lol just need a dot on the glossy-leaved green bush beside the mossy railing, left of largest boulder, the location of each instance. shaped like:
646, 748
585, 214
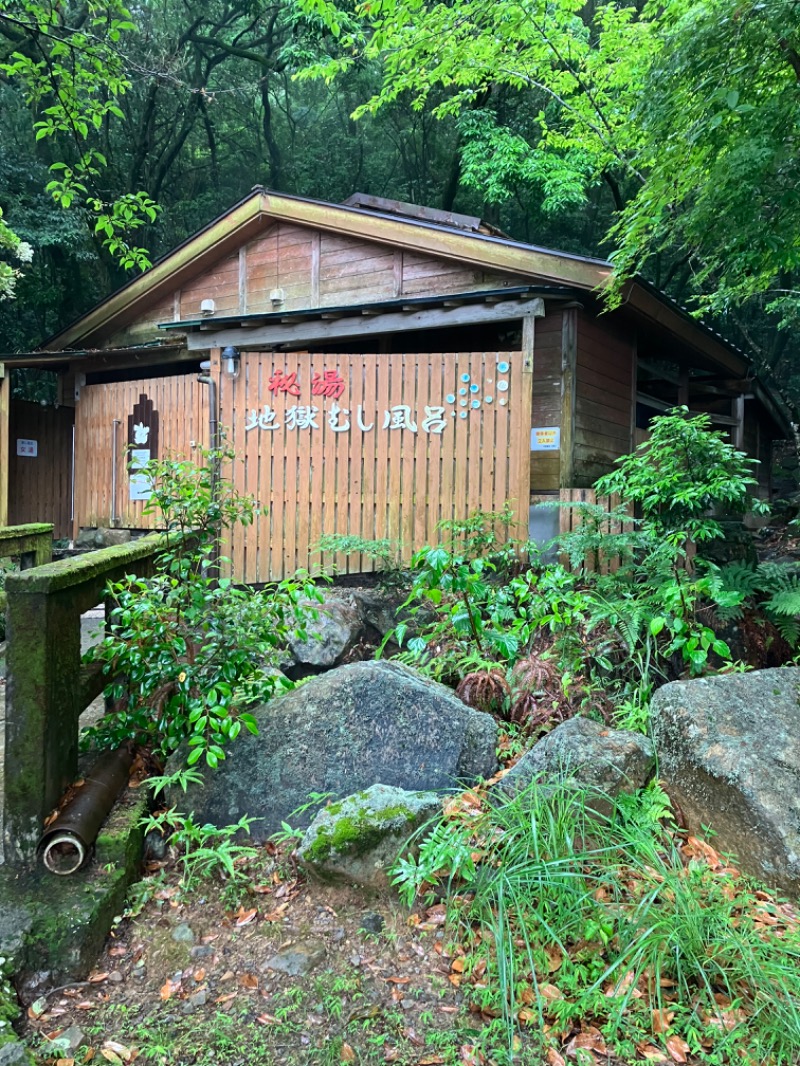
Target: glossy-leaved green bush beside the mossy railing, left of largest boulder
188, 651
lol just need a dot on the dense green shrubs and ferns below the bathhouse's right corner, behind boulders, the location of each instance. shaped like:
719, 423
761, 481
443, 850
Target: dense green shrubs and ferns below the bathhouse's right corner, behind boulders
630, 604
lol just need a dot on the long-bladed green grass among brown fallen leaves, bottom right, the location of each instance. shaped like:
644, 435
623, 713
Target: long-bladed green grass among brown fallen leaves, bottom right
611, 933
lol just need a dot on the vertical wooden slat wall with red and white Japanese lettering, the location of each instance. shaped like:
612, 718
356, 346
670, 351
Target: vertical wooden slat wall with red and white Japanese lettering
370, 480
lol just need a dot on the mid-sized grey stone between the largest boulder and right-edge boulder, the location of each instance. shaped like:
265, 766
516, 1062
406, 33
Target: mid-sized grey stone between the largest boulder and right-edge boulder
589, 754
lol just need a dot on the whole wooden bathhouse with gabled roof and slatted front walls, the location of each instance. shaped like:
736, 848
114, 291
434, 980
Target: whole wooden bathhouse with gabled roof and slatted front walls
378, 367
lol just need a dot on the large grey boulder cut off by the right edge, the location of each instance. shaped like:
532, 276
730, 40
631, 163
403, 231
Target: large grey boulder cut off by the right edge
729, 750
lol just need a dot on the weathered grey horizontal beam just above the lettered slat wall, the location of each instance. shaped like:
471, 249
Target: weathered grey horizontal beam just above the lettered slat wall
275, 334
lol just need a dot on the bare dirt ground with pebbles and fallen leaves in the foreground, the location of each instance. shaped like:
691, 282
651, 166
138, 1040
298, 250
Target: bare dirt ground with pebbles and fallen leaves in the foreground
289, 973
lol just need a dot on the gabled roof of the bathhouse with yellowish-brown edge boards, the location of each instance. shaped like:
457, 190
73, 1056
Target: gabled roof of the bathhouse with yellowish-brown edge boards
423, 231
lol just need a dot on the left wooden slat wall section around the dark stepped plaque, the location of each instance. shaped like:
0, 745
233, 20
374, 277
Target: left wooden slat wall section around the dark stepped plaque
182, 403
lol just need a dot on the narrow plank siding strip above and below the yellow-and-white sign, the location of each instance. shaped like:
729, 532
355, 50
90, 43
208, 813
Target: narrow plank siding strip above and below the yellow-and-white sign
546, 466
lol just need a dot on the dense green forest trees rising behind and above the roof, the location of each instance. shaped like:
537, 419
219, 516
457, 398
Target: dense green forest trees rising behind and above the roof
663, 136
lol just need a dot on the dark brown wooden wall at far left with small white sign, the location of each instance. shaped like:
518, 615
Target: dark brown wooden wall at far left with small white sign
41, 488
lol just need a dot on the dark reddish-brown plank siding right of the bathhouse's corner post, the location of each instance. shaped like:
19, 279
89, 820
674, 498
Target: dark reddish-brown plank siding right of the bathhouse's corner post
604, 396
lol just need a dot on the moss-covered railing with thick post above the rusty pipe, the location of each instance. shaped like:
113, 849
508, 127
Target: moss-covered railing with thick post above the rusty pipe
47, 686
